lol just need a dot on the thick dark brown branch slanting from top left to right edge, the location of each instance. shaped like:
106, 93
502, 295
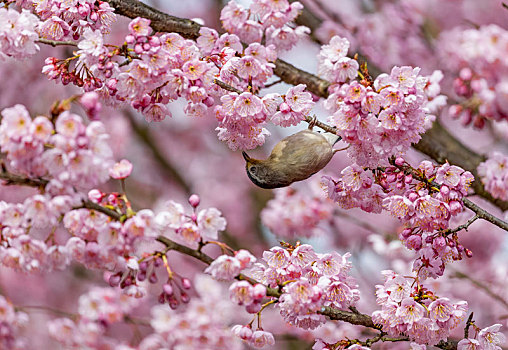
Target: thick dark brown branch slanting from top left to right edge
437, 143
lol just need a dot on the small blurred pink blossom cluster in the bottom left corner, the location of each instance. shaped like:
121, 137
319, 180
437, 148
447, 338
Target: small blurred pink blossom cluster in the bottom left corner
11, 323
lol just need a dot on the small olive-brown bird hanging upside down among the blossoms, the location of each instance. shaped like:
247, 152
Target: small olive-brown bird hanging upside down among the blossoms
295, 158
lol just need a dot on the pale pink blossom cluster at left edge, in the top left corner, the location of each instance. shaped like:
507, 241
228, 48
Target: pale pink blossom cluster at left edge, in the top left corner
18, 33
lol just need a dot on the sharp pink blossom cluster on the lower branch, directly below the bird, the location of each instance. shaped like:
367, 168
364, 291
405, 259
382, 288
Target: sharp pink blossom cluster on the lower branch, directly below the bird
311, 281
